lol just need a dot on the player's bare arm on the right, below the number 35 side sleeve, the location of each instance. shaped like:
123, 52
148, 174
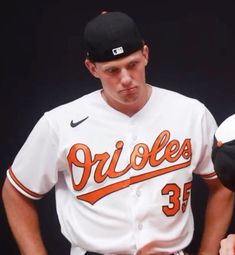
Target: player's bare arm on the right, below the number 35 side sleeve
217, 217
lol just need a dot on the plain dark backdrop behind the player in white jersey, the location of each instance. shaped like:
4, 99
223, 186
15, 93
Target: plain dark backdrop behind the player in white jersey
192, 51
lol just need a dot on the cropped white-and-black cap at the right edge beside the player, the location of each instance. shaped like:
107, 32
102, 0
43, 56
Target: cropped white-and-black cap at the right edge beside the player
223, 152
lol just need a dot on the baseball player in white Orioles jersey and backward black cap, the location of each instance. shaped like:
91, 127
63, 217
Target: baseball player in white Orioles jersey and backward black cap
121, 158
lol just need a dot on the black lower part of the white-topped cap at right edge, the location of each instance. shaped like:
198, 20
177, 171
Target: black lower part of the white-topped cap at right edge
223, 157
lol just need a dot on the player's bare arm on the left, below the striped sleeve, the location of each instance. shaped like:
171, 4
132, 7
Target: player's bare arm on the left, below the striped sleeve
23, 220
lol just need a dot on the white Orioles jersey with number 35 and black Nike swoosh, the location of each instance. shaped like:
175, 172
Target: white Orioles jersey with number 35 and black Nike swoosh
123, 184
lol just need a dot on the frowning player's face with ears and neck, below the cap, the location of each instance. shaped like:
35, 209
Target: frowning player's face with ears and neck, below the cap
123, 80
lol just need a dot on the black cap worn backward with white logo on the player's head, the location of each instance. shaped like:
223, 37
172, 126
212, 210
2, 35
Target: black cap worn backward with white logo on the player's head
111, 35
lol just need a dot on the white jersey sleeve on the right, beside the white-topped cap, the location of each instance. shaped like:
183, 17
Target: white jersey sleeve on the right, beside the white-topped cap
205, 166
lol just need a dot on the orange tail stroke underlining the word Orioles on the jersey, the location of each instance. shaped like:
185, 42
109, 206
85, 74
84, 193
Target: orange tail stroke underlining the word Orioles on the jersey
94, 196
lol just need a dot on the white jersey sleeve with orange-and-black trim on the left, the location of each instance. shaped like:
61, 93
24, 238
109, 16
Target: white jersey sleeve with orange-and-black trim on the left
34, 169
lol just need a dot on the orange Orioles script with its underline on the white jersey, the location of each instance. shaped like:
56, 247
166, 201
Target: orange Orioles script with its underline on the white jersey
171, 151
